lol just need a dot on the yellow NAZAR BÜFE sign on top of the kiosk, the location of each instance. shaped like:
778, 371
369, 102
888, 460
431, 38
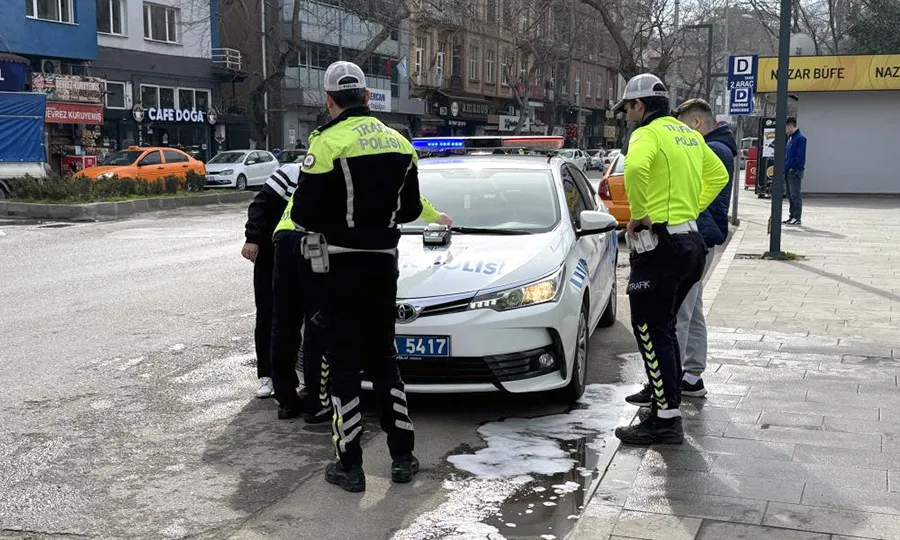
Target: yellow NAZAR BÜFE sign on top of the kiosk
833, 73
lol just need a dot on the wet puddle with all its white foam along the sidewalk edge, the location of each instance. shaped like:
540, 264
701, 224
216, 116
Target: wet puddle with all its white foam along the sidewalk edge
534, 476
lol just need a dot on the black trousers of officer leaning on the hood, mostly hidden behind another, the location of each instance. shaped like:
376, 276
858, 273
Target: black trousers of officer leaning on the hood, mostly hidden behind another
296, 291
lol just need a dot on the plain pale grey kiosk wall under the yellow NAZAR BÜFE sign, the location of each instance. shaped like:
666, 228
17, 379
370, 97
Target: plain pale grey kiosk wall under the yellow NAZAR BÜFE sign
852, 141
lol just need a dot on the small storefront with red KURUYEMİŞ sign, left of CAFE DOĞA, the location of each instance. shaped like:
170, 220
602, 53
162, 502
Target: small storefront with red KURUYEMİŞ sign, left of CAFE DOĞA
73, 120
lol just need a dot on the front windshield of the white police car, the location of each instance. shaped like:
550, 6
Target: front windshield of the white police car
496, 199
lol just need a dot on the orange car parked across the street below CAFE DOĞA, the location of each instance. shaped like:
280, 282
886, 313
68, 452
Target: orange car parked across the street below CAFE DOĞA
148, 163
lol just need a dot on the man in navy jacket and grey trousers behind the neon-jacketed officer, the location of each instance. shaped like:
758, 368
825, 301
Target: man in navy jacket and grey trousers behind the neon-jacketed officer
713, 225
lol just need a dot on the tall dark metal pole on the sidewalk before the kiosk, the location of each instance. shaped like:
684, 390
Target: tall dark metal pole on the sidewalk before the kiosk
784, 57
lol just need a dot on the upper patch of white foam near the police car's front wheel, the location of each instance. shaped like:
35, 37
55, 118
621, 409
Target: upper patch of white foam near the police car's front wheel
518, 446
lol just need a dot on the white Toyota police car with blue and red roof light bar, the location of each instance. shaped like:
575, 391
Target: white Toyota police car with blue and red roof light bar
509, 303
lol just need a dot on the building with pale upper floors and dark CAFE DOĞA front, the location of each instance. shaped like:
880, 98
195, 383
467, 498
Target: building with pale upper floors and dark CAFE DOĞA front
164, 71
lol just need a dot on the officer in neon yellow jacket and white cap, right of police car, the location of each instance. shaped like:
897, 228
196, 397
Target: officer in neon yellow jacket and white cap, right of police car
671, 175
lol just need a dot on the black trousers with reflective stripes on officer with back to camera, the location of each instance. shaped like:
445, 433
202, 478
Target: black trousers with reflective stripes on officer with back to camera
359, 310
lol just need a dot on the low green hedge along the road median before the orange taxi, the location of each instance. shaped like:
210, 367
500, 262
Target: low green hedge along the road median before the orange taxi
79, 189
